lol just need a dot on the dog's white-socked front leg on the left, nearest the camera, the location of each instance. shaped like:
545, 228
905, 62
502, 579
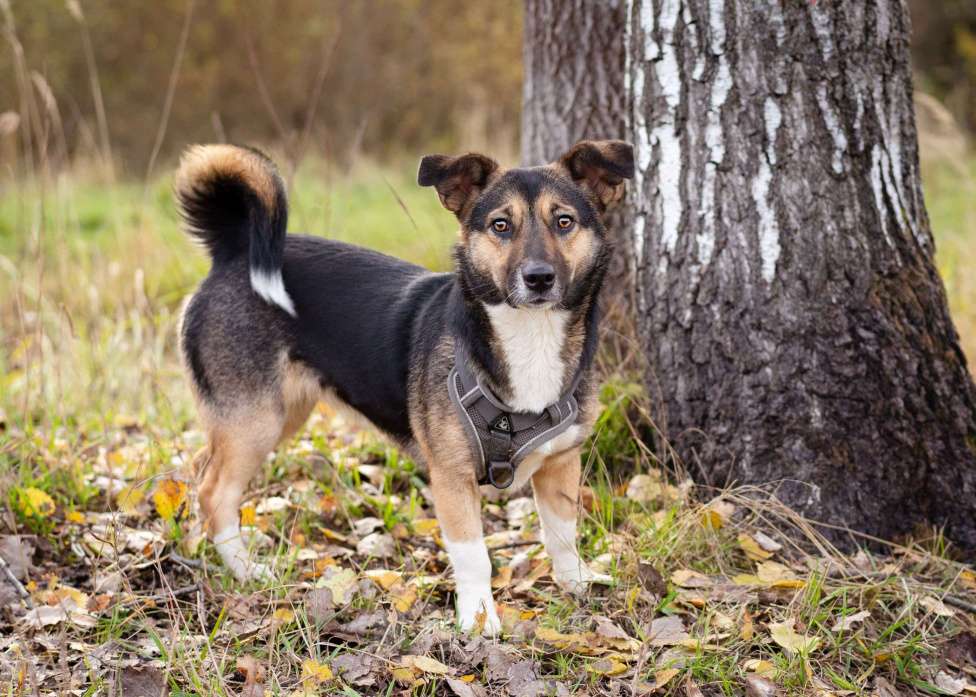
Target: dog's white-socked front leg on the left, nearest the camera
457, 502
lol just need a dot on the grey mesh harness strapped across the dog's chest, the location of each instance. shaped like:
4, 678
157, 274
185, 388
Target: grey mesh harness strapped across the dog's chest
501, 437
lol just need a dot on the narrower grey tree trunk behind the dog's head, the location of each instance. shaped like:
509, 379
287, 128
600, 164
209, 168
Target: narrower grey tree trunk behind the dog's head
573, 59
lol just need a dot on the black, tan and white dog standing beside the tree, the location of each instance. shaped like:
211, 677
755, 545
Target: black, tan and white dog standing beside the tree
284, 321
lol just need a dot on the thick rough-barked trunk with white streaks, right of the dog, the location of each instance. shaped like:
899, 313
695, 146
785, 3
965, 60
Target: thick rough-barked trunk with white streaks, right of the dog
794, 323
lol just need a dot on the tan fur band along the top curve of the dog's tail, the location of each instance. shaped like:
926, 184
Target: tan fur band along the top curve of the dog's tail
203, 163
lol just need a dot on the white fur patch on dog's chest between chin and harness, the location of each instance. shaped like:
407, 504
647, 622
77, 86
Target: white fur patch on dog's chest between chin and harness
532, 345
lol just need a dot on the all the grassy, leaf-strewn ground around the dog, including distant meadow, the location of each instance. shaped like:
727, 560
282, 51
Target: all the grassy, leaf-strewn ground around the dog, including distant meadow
714, 592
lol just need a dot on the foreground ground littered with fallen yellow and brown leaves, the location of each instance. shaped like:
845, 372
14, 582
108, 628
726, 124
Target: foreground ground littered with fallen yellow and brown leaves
109, 587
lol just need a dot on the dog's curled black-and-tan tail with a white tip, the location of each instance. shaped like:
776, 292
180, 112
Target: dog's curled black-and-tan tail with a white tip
233, 200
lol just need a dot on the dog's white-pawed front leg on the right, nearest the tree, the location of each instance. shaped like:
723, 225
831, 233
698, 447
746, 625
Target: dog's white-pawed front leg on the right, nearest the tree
556, 485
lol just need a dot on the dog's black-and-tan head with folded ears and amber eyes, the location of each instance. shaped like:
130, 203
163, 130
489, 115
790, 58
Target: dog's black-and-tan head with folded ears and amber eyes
532, 237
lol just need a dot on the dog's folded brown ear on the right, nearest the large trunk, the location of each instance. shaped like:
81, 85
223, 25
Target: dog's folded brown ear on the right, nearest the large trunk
600, 166
